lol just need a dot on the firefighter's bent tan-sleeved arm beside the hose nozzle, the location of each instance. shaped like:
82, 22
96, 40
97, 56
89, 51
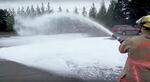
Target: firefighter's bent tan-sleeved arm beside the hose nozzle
124, 46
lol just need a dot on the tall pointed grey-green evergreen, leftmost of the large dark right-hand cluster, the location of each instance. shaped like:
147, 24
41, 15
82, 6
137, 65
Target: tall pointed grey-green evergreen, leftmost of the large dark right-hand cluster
101, 16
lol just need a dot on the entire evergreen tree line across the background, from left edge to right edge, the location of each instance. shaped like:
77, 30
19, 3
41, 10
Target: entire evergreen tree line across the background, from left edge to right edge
118, 13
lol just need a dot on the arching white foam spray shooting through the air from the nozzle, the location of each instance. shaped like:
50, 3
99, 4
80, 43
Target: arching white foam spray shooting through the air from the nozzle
55, 23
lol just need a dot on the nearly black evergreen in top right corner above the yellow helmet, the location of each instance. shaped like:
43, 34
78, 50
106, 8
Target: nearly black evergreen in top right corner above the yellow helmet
137, 9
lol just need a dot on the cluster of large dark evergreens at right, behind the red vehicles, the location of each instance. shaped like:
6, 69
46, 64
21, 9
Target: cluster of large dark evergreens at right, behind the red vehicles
123, 12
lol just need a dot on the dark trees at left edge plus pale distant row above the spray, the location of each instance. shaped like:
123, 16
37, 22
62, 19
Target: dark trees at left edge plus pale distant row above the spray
7, 15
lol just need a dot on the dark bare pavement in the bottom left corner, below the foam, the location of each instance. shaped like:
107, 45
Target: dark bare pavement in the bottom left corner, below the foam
15, 72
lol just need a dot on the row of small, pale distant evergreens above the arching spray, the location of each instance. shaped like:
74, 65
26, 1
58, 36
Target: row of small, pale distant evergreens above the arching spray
40, 10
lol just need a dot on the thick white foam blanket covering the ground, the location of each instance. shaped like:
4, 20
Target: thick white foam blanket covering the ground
68, 54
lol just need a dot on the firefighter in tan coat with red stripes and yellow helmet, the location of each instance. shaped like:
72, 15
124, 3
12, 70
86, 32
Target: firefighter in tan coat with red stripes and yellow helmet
137, 67
